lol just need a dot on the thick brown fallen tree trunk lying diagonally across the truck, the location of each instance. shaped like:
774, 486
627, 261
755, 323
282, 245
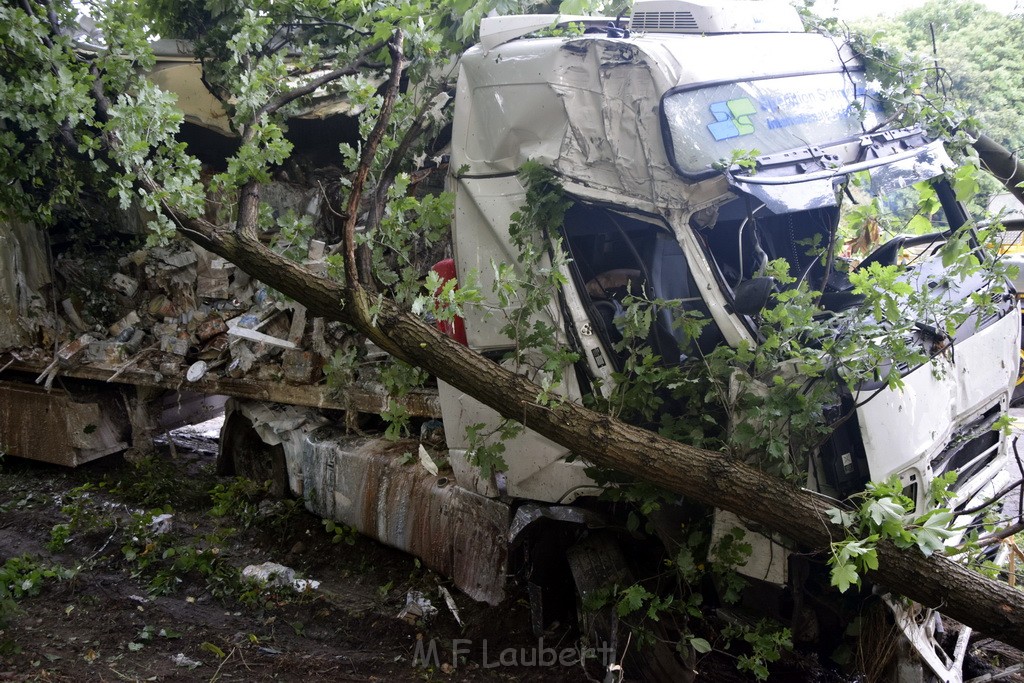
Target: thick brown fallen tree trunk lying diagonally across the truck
706, 477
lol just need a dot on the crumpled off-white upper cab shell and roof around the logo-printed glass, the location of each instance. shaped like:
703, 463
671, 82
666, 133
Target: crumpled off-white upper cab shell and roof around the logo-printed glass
590, 107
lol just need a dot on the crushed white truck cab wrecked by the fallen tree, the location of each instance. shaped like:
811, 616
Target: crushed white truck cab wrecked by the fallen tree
695, 152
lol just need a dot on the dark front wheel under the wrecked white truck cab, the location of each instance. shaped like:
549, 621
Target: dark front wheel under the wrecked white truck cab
598, 563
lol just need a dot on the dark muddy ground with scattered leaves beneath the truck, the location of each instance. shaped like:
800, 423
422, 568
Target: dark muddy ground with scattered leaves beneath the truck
130, 572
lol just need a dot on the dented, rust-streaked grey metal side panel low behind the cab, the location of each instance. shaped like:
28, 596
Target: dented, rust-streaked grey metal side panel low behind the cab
364, 483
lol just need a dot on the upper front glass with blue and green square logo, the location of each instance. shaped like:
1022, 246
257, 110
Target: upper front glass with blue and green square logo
767, 115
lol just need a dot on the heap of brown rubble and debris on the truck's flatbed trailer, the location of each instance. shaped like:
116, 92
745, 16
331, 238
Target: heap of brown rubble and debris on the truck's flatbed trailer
174, 316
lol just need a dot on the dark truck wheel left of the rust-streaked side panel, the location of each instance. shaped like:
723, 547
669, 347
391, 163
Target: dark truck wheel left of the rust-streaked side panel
243, 453
